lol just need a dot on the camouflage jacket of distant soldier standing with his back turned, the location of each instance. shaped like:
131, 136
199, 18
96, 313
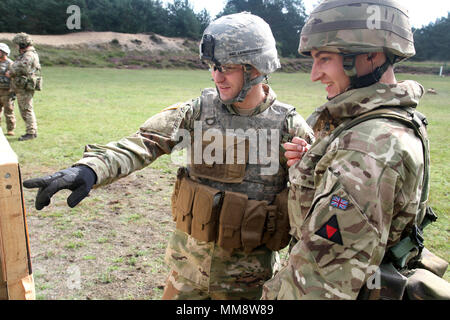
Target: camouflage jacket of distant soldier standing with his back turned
25, 67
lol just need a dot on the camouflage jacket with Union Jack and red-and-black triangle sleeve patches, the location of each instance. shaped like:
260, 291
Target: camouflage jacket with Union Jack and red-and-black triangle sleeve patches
352, 198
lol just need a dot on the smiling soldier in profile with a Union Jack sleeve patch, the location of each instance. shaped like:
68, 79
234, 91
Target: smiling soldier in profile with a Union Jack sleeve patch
358, 198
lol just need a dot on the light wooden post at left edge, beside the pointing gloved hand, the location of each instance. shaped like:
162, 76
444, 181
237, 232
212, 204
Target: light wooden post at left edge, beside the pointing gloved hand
16, 278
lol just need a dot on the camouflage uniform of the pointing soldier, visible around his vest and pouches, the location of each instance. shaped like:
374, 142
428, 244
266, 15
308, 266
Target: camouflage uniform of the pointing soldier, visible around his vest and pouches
201, 269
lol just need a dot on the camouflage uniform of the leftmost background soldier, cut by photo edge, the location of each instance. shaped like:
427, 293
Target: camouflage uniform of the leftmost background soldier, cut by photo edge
6, 101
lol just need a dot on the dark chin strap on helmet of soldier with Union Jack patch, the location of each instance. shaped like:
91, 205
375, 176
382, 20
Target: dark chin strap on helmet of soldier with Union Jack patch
365, 80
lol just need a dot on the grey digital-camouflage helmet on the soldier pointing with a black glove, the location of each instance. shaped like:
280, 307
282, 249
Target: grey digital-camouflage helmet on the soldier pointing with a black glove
240, 38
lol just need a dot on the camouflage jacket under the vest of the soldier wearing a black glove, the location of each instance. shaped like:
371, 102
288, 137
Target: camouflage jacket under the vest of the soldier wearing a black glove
201, 262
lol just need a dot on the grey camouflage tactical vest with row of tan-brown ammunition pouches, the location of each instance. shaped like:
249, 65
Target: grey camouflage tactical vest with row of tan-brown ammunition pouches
233, 203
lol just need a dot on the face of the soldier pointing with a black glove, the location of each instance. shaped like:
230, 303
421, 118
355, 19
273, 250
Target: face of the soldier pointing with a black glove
229, 82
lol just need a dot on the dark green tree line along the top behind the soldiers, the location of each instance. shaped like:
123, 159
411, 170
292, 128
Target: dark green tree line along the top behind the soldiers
178, 19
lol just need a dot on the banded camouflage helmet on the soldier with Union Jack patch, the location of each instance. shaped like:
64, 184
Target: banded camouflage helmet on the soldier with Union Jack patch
359, 26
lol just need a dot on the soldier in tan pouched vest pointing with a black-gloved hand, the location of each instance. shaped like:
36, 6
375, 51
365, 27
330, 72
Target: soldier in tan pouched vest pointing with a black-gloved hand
231, 217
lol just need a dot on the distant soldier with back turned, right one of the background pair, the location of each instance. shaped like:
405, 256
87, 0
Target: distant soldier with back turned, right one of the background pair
25, 79
